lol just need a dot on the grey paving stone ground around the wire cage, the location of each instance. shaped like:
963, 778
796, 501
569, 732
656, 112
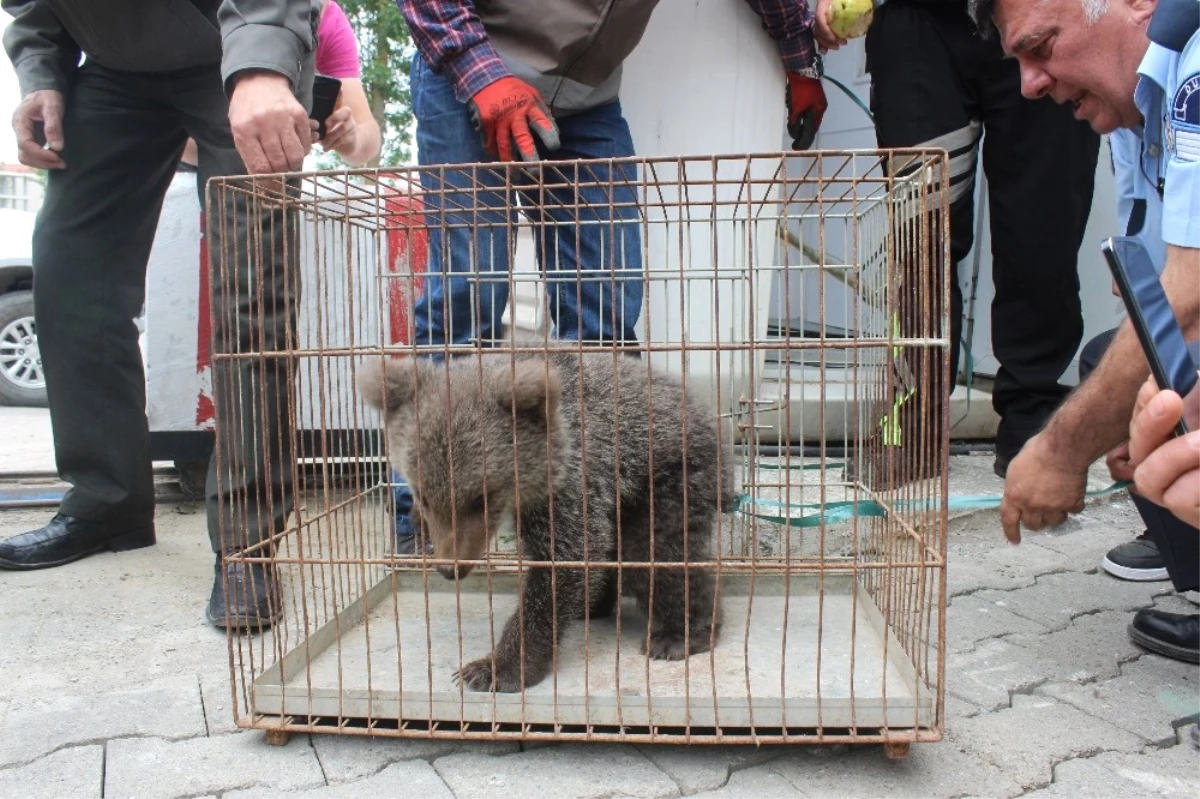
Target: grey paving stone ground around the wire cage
115, 687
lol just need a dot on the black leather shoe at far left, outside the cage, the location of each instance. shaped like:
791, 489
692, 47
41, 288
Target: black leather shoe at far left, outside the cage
67, 539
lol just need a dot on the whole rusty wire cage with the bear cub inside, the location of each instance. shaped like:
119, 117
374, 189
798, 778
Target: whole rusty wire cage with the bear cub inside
799, 299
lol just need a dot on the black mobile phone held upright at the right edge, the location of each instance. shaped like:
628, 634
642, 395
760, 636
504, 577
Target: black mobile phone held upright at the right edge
1162, 341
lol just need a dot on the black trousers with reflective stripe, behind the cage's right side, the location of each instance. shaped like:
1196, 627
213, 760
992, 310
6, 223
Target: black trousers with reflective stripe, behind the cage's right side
937, 83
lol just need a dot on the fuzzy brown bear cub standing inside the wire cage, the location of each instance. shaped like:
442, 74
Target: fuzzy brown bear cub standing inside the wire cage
548, 441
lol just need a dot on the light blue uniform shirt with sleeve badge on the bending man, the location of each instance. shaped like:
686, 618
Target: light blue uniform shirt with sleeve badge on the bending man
1168, 95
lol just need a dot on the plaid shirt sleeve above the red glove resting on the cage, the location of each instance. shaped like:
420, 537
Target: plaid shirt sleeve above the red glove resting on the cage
453, 40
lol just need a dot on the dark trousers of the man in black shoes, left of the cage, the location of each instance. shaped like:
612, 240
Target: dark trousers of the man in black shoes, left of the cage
124, 135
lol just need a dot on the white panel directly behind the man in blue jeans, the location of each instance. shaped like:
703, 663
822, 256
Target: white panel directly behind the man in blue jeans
706, 80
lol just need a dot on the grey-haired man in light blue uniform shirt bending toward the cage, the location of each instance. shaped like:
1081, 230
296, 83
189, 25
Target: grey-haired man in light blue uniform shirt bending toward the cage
1120, 64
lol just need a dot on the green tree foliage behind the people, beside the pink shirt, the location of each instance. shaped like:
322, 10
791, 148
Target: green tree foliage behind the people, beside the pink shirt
386, 51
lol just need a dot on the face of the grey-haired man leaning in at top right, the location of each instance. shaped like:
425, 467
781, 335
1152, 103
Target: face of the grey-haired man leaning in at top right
1091, 67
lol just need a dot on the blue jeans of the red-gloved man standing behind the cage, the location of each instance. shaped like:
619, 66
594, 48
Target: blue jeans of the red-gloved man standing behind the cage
587, 231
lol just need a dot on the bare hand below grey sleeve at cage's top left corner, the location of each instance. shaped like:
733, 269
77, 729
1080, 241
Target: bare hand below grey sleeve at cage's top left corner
271, 128
